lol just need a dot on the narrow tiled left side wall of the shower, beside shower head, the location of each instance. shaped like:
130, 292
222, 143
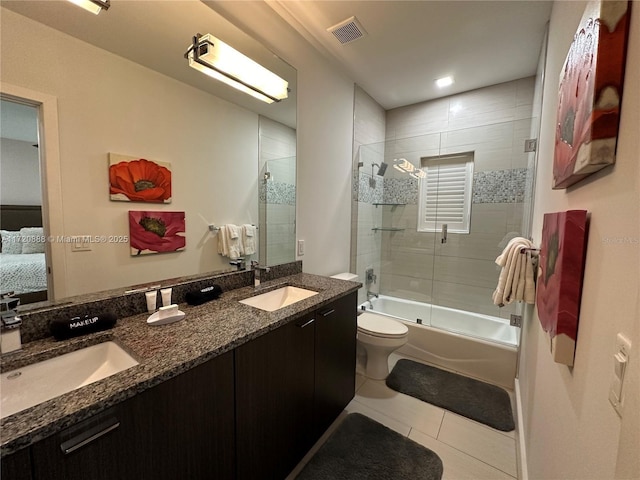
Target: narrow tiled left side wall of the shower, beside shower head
369, 128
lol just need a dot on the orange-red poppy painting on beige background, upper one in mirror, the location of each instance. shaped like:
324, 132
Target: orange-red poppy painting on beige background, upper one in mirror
133, 179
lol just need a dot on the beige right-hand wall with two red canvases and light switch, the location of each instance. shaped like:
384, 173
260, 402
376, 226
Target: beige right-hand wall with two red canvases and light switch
571, 430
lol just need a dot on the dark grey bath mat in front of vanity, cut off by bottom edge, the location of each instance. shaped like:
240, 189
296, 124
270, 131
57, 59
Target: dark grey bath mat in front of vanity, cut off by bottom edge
361, 448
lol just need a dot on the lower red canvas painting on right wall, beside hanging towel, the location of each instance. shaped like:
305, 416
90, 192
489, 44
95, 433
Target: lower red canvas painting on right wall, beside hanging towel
561, 265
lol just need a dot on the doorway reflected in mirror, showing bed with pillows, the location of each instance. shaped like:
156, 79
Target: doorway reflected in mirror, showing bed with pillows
23, 258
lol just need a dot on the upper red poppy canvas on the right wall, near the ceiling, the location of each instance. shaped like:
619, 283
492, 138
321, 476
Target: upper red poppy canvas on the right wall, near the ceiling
590, 93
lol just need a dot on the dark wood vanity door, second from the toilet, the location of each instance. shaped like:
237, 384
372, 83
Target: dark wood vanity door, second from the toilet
274, 392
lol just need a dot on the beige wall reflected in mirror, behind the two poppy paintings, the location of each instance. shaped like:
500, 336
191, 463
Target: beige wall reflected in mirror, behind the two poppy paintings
108, 104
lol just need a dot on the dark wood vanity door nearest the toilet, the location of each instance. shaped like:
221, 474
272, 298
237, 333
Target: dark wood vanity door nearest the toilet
335, 360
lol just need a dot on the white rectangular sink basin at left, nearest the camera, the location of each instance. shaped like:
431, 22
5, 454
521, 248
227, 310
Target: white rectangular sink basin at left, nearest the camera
33, 384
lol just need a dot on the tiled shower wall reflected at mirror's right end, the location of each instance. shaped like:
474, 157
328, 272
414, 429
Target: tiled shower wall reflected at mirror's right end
278, 193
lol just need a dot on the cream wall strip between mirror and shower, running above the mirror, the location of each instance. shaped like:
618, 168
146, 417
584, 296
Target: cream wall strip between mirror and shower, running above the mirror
325, 135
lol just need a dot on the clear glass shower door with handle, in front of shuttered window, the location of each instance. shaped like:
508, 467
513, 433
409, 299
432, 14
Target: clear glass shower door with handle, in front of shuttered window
479, 197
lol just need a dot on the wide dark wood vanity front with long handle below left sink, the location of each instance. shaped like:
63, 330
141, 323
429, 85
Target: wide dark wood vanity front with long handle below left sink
182, 428
